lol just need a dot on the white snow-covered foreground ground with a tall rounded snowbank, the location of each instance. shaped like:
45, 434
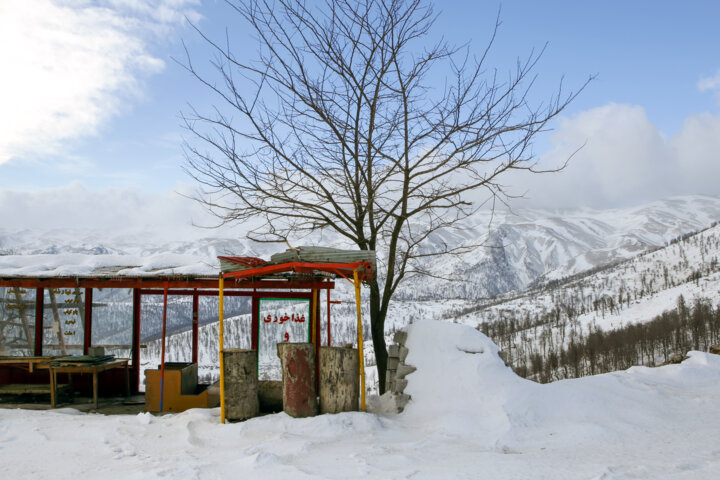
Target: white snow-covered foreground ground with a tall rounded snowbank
470, 416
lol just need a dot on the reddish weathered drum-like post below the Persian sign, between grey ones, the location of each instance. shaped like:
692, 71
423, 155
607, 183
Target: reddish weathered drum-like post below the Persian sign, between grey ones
298, 367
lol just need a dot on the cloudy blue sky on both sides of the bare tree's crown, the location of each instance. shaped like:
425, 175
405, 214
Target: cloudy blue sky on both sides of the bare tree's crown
91, 94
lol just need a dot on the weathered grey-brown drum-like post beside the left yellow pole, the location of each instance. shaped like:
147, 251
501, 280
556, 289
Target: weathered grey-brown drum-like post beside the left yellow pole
241, 384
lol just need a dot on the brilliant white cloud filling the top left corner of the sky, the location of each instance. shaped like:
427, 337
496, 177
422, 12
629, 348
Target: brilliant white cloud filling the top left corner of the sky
68, 65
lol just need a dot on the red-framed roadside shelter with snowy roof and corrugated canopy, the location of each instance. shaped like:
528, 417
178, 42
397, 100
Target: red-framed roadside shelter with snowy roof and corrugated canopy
35, 313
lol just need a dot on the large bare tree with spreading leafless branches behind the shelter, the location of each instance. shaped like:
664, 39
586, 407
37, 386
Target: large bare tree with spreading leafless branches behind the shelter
347, 122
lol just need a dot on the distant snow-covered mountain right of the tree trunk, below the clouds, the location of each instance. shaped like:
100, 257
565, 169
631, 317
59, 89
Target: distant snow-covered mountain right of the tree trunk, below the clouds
530, 245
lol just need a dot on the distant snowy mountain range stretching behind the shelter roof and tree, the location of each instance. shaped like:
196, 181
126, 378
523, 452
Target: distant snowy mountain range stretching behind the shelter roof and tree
512, 249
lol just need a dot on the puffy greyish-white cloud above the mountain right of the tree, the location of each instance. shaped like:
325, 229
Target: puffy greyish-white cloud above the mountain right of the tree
626, 160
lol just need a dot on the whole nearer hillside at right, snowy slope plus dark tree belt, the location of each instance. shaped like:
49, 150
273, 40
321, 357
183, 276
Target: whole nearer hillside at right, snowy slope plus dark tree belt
639, 311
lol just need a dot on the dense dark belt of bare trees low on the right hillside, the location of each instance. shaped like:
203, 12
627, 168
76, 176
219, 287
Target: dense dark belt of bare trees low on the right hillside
544, 354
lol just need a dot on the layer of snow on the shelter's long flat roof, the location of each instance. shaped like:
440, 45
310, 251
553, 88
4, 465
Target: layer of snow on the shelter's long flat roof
82, 265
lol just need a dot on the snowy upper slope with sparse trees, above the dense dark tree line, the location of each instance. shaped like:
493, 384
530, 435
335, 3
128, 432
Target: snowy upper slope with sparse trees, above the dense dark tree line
632, 291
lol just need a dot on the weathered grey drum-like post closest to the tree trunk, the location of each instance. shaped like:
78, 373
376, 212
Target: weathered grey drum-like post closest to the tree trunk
339, 380
